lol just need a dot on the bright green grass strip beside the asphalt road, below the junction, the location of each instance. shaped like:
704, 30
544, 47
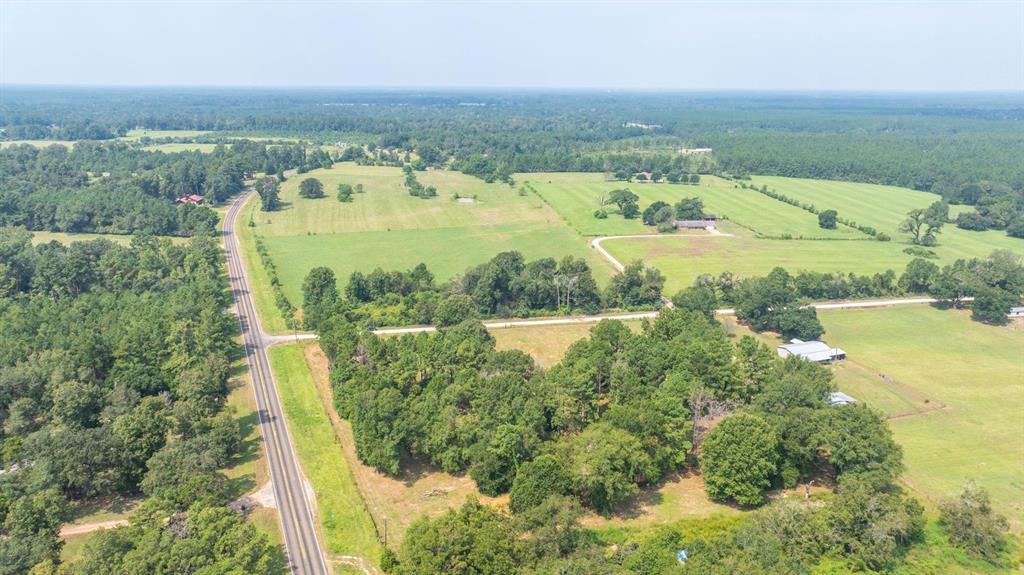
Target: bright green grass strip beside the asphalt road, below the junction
346, 524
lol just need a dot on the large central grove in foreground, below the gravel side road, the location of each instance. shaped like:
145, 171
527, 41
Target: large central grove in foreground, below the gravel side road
620, 412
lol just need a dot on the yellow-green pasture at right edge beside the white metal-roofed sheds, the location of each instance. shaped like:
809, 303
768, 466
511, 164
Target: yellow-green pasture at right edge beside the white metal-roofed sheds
954, 390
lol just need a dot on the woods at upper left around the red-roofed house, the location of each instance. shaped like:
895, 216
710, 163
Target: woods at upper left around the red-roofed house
113, 188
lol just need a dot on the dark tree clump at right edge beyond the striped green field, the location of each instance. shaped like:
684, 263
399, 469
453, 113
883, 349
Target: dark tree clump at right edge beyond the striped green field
997, 207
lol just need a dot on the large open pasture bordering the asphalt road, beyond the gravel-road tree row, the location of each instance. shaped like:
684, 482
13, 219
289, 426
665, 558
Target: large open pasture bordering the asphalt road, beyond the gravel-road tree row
389, 229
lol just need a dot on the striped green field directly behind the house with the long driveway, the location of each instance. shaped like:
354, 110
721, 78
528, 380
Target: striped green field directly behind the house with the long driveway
577, 196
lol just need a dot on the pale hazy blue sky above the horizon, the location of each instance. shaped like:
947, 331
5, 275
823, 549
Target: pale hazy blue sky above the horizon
671, 46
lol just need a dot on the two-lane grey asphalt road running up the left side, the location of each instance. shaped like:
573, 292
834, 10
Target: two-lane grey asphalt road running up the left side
297, 519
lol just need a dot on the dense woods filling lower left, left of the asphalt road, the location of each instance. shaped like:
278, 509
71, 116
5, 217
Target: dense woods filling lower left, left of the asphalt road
113, 376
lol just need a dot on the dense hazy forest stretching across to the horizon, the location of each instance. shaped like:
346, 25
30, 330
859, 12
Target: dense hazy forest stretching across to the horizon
926, 142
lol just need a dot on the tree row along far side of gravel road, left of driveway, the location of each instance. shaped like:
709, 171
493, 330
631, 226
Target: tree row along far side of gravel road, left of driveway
505, 287
